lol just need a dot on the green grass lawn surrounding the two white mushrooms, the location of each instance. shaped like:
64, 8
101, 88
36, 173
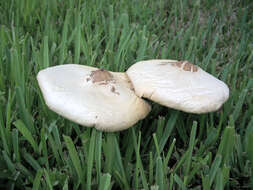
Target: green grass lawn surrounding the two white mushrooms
167, 150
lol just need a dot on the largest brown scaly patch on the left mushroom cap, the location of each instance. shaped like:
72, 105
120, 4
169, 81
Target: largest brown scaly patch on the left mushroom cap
101, 75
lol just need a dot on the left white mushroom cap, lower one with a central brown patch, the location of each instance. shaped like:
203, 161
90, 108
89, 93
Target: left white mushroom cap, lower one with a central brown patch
92, 97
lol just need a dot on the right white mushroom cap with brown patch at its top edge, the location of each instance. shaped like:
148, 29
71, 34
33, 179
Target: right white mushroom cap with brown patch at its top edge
179, 85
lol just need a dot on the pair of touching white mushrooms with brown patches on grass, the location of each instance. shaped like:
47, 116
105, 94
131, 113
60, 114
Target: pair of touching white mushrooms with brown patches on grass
111, 101
